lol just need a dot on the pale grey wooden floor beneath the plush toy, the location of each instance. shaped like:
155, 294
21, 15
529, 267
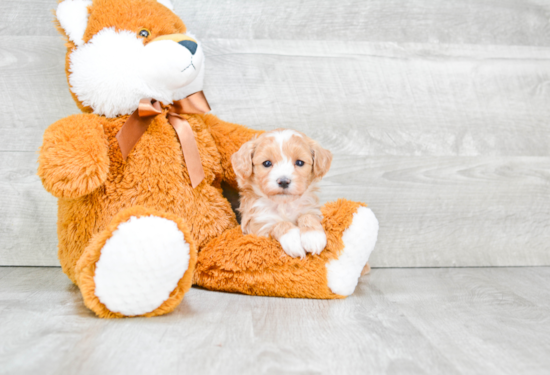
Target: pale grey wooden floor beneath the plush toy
399, 321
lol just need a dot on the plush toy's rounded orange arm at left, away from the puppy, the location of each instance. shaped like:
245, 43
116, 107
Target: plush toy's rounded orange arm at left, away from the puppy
74, 158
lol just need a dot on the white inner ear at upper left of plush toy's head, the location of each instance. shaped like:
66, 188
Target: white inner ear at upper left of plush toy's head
73, 18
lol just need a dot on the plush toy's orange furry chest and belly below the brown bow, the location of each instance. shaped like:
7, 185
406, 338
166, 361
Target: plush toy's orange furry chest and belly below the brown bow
156, 177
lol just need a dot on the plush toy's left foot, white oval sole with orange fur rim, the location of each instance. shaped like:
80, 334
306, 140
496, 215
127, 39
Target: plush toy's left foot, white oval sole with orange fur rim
141, 265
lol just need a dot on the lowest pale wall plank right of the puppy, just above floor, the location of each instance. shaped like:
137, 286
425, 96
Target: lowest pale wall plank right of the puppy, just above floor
451, 211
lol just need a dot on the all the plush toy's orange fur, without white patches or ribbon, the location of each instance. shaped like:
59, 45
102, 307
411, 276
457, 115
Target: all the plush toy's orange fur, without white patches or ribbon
81, 164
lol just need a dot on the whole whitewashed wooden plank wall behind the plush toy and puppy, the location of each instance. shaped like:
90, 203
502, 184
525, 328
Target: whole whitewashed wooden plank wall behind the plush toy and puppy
438, 113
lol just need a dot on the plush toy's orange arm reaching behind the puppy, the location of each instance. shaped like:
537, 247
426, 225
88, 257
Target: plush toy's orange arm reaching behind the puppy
229, 138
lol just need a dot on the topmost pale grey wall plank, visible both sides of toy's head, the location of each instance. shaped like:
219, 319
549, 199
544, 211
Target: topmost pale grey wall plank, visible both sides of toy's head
485, 22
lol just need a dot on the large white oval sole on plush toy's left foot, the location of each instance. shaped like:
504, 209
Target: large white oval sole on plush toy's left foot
140, 265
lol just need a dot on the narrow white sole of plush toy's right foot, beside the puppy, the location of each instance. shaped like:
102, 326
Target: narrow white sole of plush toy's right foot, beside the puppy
359, 240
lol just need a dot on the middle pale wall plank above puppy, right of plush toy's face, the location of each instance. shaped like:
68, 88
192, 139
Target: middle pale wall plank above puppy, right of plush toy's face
387, 99
